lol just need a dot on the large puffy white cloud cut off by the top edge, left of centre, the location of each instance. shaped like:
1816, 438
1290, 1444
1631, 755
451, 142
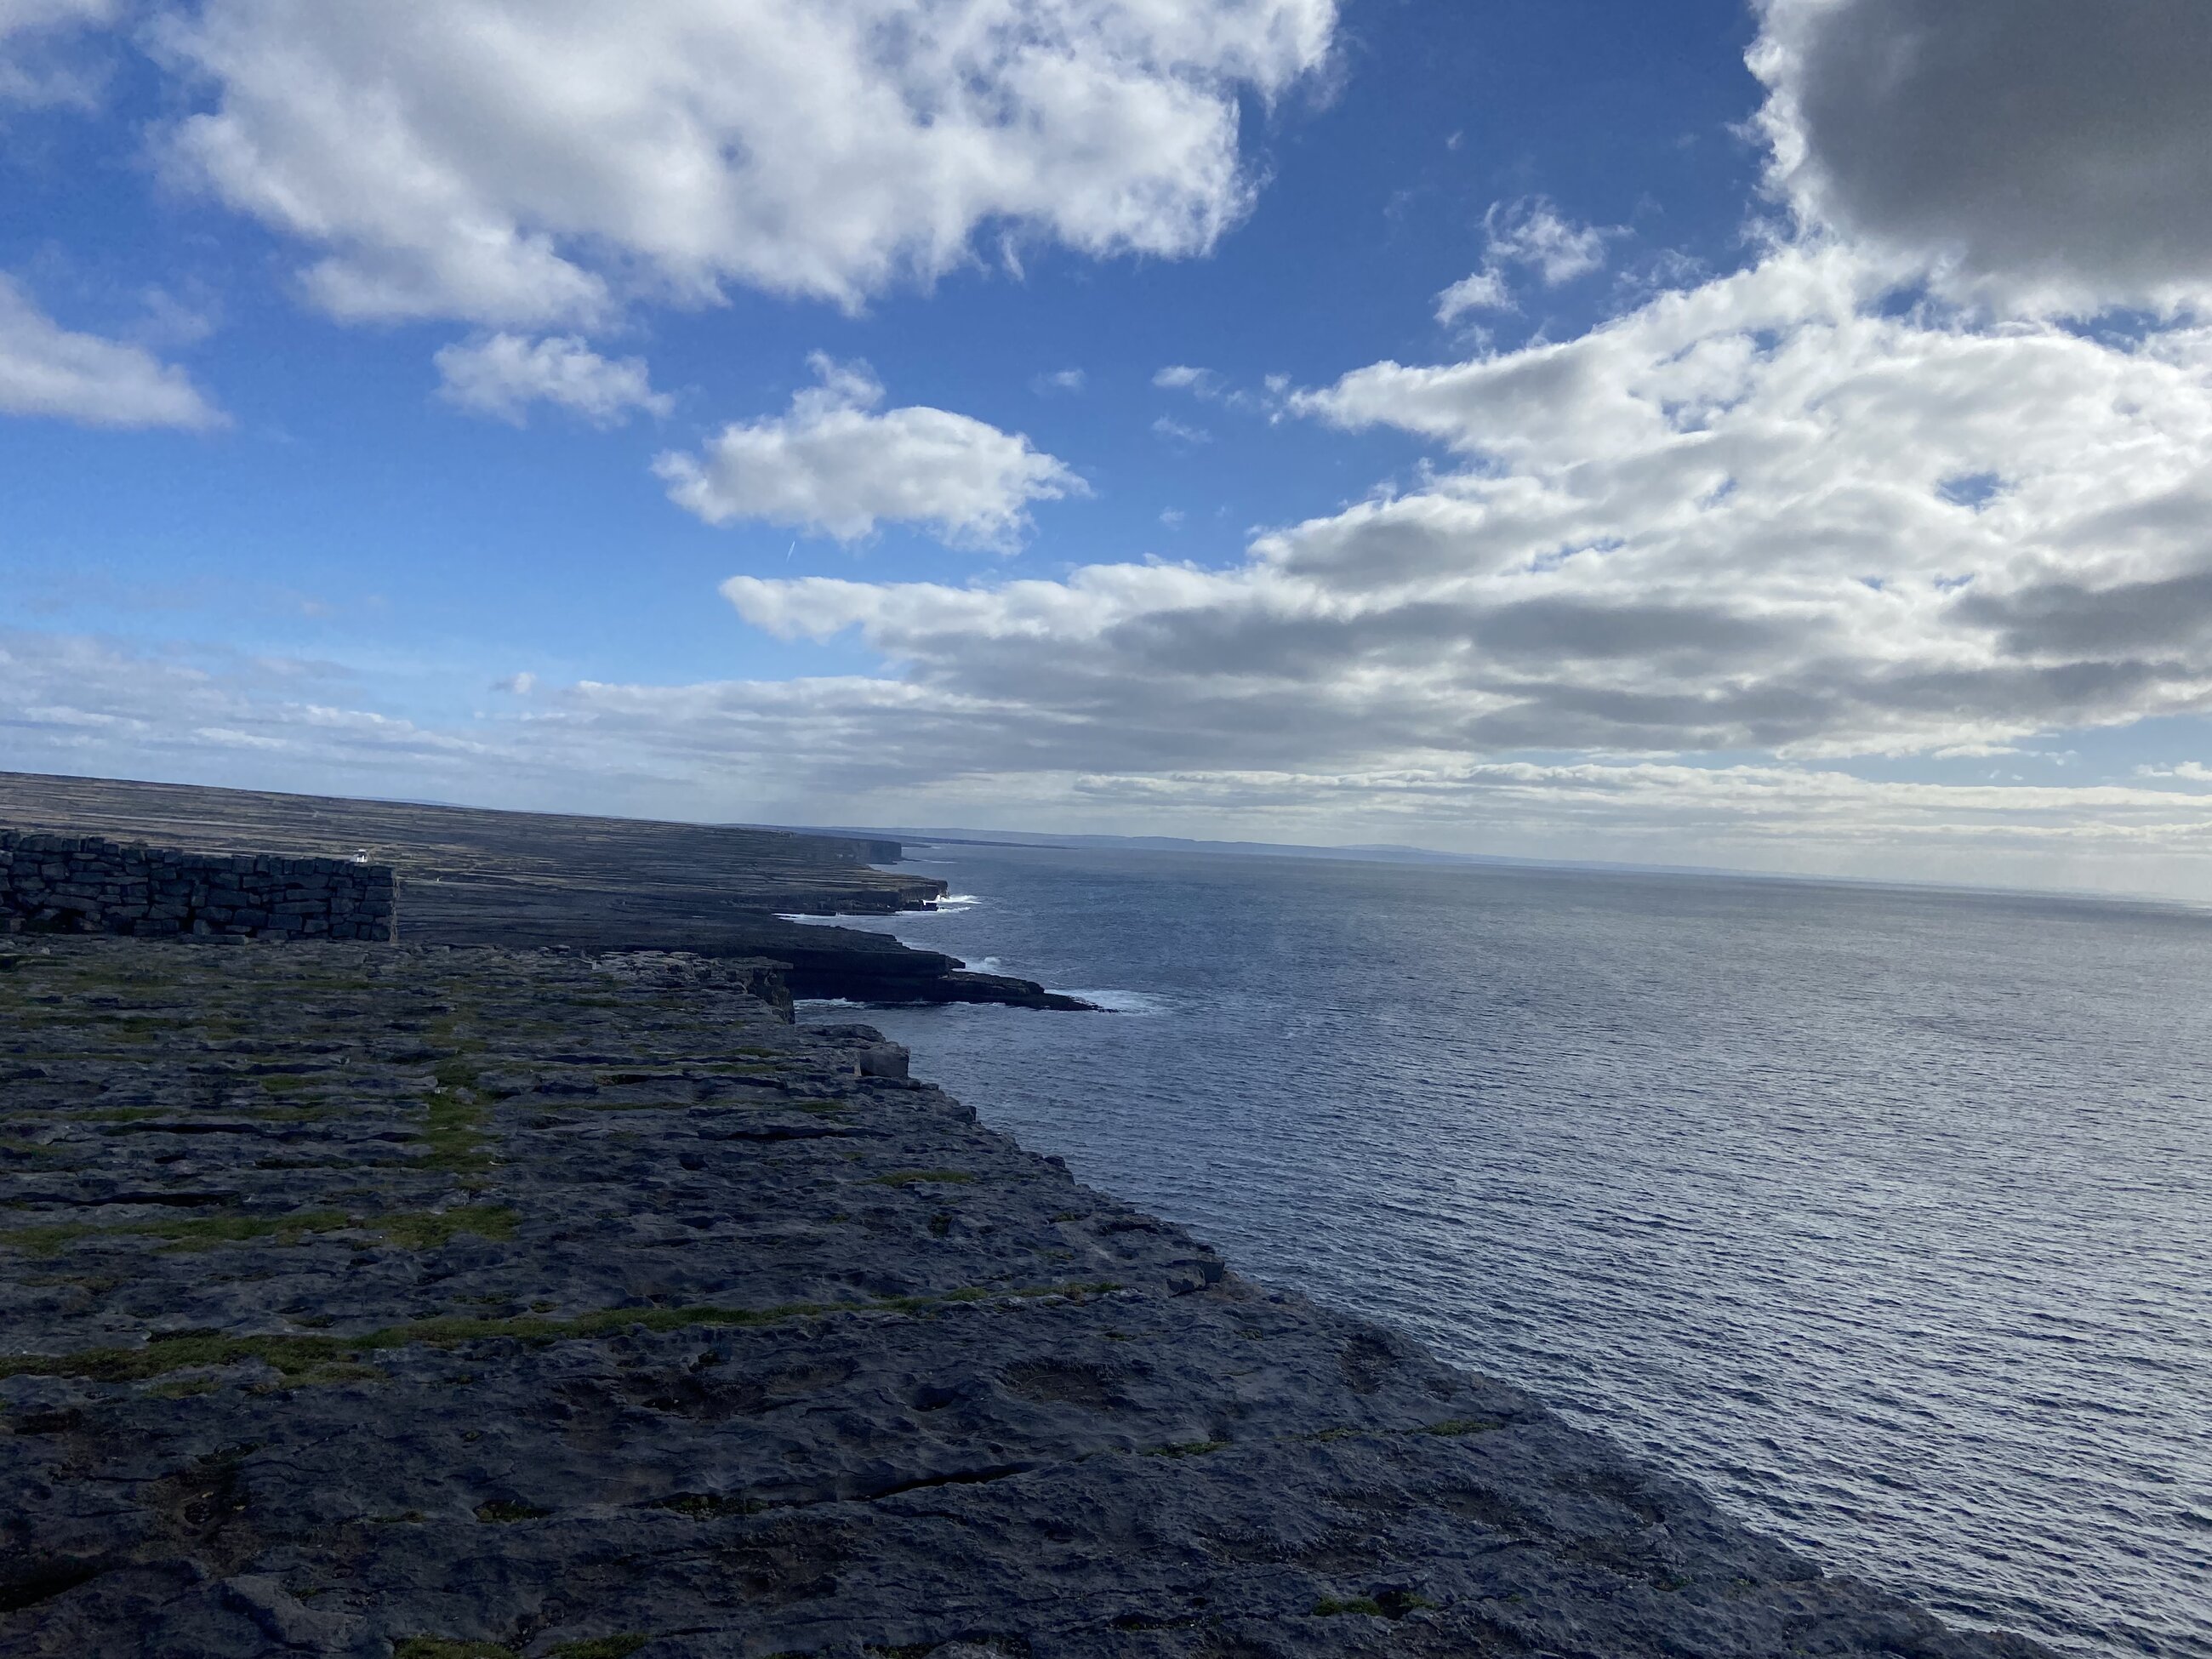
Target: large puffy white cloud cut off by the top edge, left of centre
534, 165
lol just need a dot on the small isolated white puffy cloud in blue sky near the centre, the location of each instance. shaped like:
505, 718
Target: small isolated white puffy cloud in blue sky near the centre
833, 466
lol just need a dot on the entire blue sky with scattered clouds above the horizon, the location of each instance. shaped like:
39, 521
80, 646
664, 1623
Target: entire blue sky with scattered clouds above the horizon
1695, 432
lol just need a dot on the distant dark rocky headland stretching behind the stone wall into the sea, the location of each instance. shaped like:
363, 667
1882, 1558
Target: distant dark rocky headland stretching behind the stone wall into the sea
521, 879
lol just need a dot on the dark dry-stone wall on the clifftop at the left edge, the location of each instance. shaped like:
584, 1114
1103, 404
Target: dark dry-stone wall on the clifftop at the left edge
92, 886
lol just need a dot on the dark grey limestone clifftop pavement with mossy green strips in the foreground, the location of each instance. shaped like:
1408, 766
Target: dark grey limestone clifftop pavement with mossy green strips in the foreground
459, 1304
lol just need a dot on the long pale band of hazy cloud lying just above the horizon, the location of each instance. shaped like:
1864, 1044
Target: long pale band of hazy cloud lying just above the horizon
888, 751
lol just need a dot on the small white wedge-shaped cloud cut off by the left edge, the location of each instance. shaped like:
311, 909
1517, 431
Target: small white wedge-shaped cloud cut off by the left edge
48, 371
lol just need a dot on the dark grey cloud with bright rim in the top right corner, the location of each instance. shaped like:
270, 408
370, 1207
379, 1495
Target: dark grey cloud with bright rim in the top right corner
2043, 154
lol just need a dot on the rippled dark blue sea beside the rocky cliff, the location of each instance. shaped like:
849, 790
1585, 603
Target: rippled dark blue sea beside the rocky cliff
1884, 1213
